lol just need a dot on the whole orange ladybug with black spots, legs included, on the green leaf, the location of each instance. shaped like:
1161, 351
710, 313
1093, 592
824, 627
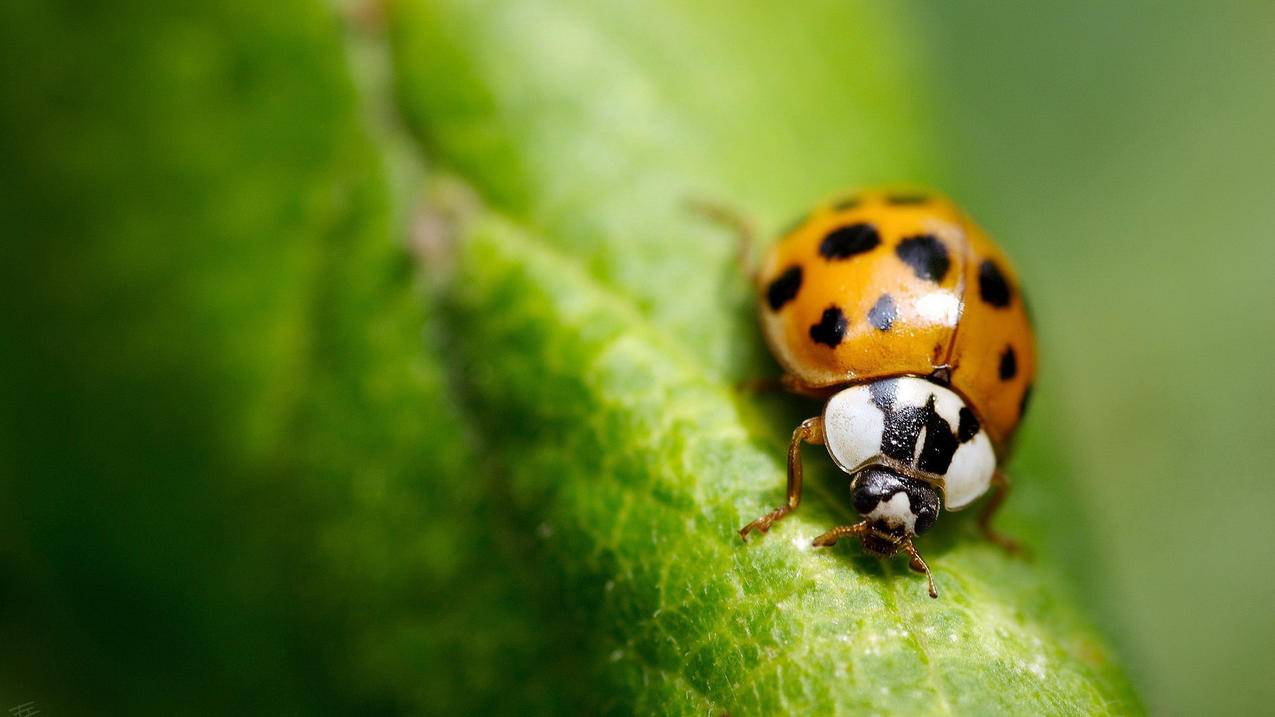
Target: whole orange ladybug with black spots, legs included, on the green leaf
905, 317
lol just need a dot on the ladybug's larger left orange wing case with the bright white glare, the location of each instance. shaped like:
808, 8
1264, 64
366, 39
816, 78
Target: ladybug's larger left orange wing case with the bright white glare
865, 289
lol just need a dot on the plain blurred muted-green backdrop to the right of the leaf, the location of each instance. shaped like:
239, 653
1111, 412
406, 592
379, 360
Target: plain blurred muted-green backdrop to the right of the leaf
1123, 151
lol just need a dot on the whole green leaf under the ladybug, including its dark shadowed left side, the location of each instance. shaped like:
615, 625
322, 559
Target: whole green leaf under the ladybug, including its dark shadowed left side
234, 477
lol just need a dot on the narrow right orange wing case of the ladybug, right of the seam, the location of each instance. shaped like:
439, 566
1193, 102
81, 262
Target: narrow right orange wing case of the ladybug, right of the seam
994, 354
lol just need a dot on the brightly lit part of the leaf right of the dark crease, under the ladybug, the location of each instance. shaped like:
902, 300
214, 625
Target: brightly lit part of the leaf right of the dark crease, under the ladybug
600, 330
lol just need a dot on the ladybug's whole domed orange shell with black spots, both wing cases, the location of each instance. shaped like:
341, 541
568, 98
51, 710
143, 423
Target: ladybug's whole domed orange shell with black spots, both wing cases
883, 285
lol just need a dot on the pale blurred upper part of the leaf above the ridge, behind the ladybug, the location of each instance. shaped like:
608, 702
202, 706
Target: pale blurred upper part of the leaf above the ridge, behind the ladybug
596, 123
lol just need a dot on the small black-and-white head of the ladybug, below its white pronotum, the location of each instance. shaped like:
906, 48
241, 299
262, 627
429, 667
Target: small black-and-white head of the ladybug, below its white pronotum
894, 506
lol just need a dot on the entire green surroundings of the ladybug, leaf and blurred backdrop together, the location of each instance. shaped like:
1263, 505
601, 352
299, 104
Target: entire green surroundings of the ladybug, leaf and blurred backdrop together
257, 459
